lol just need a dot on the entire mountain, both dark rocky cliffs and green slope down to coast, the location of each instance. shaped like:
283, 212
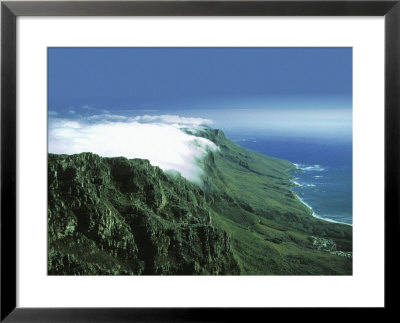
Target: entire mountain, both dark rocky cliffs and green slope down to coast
114, 216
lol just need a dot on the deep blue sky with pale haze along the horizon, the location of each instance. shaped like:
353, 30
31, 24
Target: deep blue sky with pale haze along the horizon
237, 87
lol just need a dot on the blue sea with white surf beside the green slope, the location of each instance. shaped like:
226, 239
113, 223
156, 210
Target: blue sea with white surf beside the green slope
324, 179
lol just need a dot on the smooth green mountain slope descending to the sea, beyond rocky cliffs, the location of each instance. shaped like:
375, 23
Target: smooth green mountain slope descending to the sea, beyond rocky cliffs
272, 231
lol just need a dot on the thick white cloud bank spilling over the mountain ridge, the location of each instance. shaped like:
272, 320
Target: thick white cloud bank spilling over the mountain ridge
159, 139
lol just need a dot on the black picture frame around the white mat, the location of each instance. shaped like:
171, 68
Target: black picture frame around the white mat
10, 10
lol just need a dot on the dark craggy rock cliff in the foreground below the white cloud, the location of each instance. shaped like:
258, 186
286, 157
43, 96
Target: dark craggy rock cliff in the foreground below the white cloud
114, 216
